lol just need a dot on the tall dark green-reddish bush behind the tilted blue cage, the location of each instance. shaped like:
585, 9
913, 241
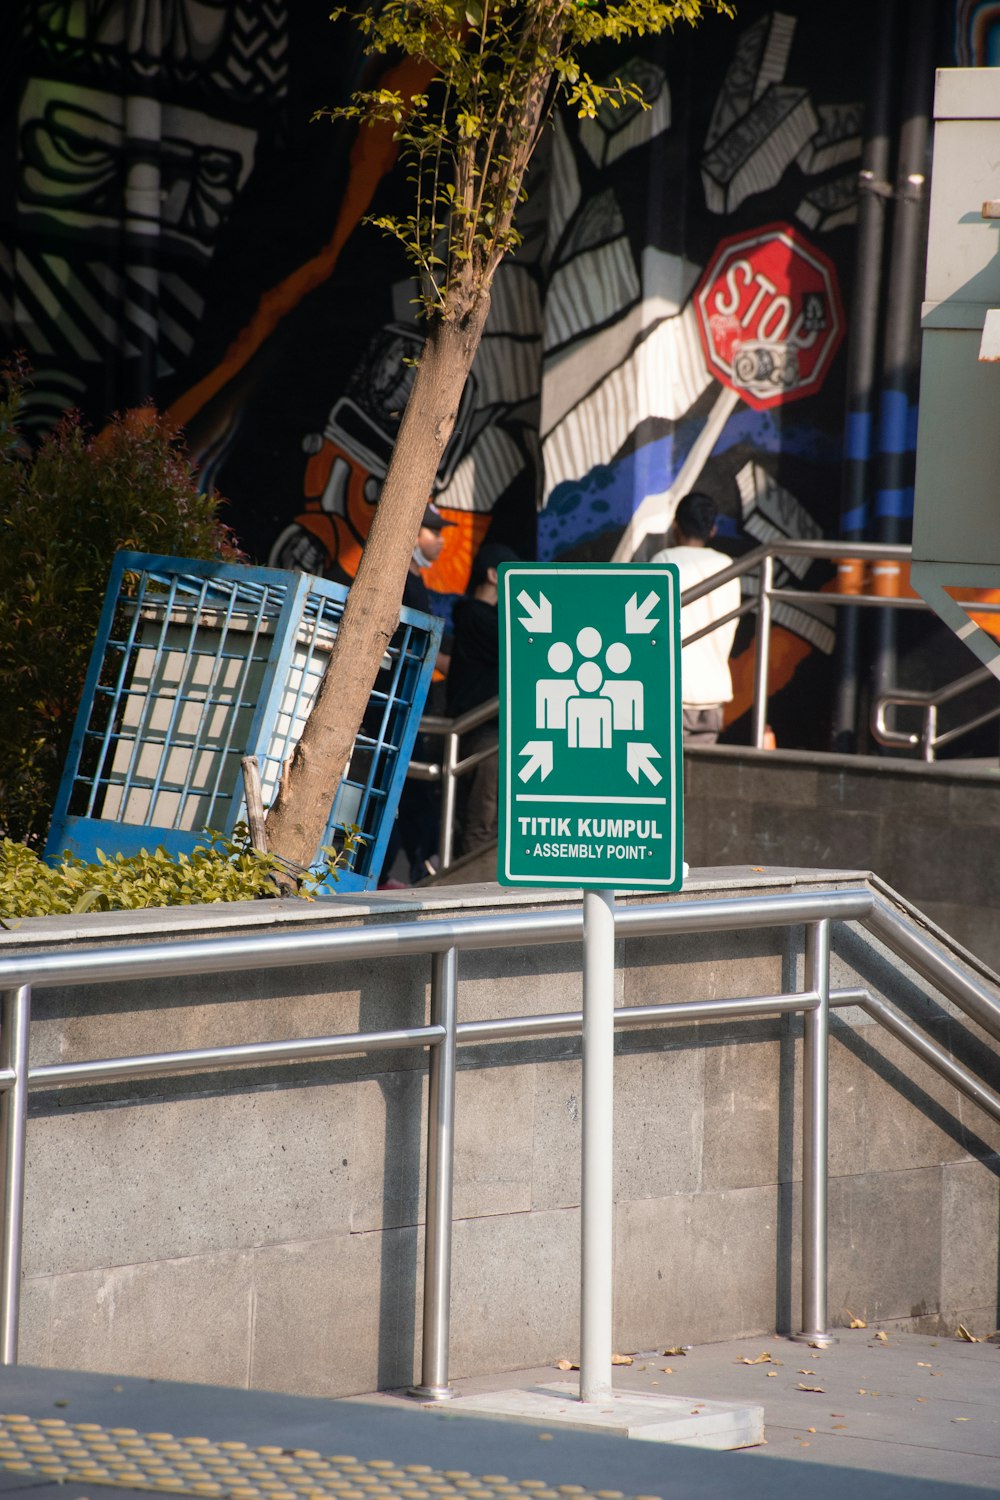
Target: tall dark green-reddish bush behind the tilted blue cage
65, 511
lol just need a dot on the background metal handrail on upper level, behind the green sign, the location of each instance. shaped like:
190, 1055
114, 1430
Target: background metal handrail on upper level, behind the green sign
761, 560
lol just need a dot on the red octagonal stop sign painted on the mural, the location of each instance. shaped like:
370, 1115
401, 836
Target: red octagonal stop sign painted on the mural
770, 316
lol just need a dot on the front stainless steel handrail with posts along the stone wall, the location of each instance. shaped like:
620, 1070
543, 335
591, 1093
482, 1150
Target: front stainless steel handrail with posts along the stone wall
443, 940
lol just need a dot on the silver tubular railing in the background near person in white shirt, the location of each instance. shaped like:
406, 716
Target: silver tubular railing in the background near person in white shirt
756, 571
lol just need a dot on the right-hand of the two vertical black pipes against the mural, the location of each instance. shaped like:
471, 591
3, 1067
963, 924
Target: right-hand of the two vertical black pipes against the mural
894, 497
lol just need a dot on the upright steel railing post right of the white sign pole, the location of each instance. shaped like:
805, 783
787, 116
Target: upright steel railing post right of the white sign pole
816, 1135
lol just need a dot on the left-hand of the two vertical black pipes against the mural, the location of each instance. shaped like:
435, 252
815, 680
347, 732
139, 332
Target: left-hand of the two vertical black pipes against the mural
863, 352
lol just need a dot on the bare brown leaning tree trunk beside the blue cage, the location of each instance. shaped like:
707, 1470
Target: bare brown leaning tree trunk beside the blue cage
298, 820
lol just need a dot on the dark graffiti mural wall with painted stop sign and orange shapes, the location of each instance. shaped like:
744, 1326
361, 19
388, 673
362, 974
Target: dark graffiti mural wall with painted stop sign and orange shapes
175, 229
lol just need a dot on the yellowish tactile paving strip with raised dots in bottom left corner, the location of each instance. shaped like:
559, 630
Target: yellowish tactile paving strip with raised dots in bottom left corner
196, 1466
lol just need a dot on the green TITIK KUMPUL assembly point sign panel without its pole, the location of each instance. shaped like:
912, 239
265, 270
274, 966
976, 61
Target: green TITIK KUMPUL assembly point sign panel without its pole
590, 727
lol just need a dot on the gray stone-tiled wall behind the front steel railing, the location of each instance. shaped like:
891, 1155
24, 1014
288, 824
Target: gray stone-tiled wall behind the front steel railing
265, 1228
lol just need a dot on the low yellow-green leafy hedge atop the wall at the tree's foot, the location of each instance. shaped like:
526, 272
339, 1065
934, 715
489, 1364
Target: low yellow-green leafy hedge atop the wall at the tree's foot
221, 871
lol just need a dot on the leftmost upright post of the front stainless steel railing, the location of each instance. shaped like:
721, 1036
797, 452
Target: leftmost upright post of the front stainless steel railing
16, 1024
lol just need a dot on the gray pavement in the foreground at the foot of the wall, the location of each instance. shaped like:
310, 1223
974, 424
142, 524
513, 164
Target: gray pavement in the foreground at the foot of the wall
909, 1418
